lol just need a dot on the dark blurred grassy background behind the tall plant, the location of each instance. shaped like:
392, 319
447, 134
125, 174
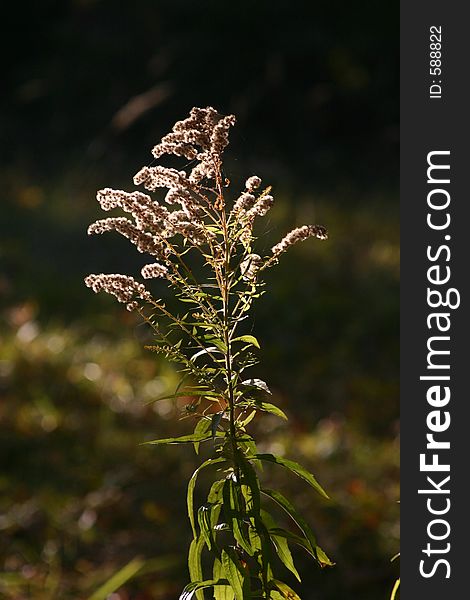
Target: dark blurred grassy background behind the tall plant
89, 87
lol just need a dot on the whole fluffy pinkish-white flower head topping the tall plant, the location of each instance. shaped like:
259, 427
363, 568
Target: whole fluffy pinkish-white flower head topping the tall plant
193, 211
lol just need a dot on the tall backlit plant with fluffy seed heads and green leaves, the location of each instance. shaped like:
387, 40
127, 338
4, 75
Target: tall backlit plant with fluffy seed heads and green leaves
204, 250
